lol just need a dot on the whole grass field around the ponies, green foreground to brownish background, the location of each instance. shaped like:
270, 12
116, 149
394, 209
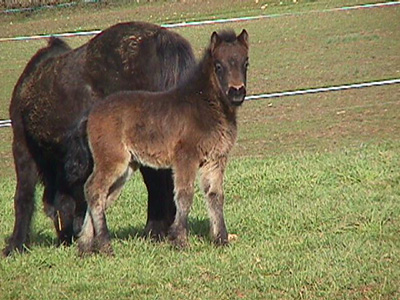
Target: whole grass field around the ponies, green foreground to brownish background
312, 188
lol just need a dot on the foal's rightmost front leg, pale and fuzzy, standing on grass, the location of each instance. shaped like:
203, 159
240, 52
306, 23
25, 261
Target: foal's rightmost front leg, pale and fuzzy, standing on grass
211, 178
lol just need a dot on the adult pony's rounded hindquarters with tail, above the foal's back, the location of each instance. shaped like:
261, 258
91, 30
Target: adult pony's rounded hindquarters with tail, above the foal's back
155, 56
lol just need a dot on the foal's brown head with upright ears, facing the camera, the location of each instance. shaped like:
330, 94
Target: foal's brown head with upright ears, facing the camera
229, 55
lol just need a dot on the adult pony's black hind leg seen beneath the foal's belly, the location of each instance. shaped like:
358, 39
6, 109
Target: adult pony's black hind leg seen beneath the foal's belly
161, 207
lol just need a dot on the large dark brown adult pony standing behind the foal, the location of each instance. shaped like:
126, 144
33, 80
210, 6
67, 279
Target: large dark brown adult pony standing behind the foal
56, 88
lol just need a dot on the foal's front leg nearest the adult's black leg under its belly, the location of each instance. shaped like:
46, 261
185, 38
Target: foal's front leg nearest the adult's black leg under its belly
184, 178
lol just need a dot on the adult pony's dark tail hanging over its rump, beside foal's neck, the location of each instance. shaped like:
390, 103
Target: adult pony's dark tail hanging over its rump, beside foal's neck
176, 59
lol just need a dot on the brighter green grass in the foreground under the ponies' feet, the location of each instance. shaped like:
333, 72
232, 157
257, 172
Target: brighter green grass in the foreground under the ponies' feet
321, 225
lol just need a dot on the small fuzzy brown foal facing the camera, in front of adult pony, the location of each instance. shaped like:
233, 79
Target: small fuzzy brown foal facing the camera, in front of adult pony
188, 129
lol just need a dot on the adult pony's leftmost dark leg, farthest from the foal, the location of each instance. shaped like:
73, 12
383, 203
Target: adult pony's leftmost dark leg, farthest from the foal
27, 179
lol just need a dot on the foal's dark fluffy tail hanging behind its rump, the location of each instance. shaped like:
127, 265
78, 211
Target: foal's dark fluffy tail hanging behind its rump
78, 161
